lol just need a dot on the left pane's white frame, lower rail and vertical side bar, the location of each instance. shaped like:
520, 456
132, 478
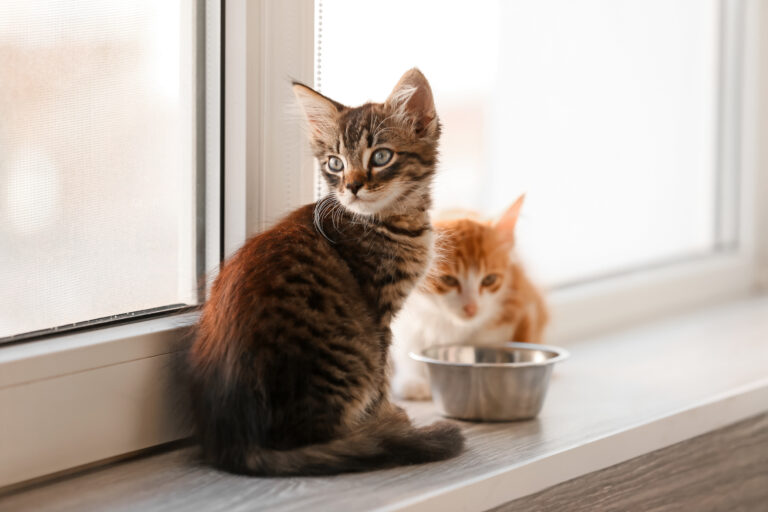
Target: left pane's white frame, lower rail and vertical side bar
108, 376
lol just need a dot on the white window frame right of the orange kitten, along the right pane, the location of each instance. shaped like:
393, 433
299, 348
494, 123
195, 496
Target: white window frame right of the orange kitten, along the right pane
724, 274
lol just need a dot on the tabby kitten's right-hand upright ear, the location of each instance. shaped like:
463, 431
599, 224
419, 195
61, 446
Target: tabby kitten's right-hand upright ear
412, 97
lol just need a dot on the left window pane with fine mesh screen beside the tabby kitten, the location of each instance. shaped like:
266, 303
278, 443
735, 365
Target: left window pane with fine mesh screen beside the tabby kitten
101, 167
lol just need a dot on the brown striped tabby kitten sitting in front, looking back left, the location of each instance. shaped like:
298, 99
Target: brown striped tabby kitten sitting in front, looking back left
288, 370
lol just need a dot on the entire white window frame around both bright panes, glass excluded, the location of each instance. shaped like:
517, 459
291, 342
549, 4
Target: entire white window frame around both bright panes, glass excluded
89, 396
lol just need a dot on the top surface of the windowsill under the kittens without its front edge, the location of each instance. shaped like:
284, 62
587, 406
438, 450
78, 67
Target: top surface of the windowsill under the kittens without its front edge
609, 385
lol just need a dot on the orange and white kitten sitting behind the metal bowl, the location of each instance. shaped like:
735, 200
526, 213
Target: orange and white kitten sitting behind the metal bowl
476, 292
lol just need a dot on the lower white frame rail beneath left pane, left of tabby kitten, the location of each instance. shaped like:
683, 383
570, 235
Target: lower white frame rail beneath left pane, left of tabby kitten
88, 396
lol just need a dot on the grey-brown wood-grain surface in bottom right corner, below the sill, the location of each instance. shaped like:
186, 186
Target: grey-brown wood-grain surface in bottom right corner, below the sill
726, 470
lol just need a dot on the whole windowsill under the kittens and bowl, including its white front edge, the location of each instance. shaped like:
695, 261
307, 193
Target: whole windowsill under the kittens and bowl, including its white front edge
688, 375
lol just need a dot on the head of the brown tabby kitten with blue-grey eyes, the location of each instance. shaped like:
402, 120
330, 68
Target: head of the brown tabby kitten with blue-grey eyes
379, 157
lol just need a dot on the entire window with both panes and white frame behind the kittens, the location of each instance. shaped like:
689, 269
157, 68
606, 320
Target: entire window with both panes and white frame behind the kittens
108, 385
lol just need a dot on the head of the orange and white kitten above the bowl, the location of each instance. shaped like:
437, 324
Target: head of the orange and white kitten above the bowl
473, 267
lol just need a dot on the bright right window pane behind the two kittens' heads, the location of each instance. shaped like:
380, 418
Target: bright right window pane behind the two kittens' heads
605, 113
